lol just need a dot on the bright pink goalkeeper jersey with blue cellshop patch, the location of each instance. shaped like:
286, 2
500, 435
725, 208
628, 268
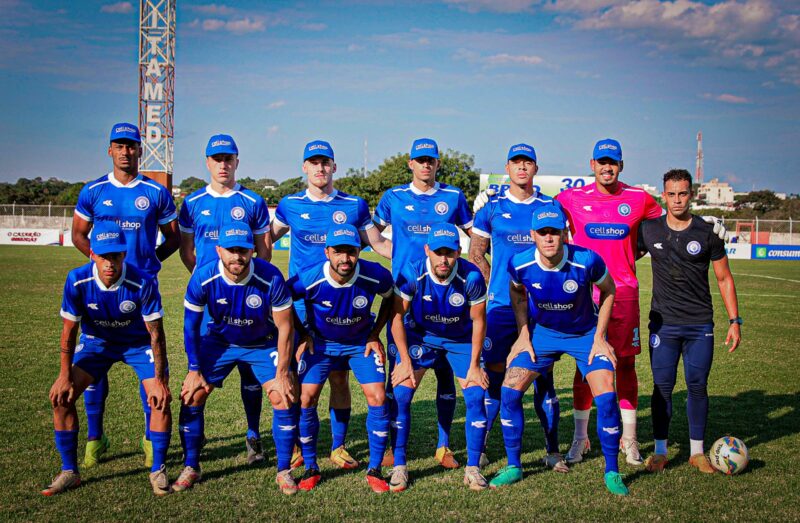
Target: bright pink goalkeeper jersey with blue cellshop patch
608, 224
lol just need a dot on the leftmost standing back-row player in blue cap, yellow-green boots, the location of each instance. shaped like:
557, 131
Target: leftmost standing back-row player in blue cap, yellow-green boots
141, 207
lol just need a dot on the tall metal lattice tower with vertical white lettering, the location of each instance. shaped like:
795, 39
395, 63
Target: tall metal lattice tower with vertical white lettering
157, 88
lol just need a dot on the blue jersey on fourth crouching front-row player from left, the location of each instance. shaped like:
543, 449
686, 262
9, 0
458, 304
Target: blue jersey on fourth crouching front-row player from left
441, 310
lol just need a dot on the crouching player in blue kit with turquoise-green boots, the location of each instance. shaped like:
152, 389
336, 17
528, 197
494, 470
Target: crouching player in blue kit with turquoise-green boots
551, 294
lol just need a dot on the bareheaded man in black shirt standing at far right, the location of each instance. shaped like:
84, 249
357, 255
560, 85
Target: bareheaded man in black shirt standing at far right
682, 314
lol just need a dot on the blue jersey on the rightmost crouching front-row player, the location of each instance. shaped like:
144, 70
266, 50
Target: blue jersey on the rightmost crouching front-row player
560, 299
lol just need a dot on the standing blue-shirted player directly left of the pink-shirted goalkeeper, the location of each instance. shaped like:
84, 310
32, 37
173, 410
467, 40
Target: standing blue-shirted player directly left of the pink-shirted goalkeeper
504, 221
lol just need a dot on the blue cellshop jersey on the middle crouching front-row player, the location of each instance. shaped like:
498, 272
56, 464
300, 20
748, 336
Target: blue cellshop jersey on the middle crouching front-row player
341, 313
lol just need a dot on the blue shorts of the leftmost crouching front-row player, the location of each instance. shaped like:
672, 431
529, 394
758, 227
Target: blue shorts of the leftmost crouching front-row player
95, 356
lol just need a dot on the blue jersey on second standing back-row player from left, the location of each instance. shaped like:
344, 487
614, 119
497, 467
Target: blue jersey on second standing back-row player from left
205, 210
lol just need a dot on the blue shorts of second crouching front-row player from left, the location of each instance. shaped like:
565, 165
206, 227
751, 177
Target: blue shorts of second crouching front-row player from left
217, 361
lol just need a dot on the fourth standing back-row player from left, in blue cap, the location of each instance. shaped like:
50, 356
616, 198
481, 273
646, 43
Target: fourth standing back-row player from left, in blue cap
412, 210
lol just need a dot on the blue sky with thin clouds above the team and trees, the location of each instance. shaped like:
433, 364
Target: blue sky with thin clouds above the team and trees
476, 75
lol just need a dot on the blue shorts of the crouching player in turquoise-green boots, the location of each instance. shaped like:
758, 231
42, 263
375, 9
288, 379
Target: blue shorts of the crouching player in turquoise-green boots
549, 346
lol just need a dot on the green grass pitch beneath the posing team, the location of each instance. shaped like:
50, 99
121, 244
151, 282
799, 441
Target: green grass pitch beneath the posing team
755, 394
